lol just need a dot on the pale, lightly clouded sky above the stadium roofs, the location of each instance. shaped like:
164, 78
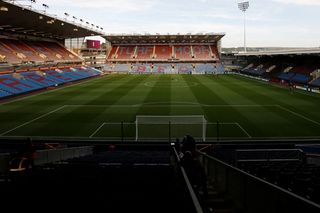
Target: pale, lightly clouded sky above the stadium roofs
270, 23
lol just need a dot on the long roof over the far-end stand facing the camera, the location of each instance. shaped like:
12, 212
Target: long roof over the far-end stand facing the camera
158, 39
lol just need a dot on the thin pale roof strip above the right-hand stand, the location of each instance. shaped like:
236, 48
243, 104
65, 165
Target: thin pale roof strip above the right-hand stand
300, 51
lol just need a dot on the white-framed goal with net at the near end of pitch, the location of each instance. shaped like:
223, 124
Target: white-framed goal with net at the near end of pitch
168, 127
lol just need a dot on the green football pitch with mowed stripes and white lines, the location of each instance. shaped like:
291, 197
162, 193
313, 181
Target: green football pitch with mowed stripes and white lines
233, 106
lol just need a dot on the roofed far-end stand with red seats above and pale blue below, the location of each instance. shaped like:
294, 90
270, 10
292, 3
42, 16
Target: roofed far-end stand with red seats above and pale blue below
153, 53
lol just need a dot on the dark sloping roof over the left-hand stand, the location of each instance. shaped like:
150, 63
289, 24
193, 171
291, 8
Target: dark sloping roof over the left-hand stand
22, 20
